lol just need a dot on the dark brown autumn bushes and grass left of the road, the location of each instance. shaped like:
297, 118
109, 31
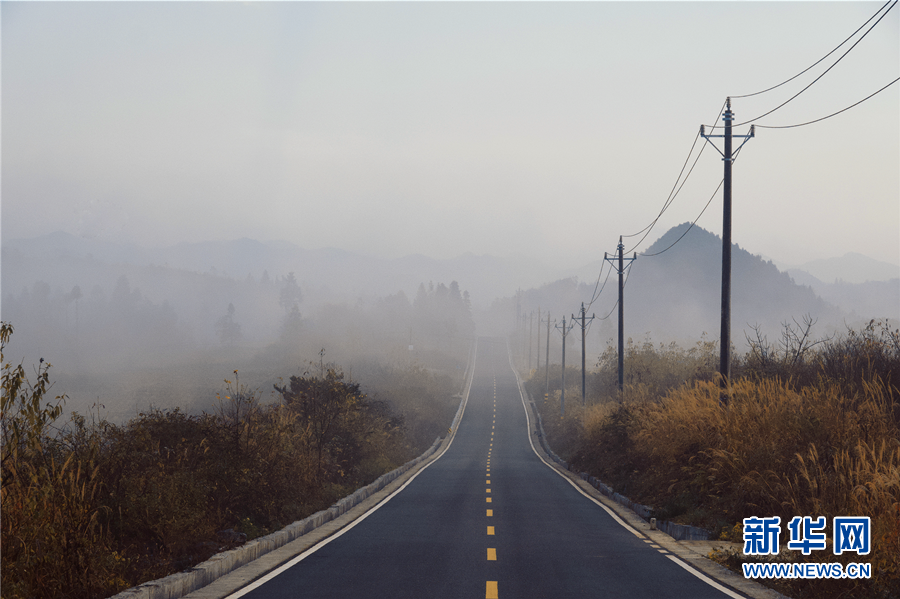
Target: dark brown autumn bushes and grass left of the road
89, 508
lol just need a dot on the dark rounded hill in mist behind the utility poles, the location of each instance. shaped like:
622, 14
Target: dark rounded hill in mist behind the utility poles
677, 294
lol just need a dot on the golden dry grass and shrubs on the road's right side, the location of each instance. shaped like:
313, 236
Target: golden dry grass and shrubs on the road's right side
810, 428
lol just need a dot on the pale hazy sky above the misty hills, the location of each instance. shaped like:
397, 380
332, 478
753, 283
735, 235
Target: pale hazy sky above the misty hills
544, 129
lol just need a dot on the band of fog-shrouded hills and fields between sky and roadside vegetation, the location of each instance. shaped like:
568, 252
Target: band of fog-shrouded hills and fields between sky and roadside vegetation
128, 328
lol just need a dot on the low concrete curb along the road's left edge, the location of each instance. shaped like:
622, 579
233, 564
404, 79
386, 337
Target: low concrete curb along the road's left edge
178, 585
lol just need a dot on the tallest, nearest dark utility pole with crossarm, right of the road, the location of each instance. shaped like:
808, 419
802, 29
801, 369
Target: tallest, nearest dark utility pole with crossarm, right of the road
728, 158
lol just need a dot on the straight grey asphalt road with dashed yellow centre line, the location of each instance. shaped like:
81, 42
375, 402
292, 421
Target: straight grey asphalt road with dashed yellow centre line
487, 519
